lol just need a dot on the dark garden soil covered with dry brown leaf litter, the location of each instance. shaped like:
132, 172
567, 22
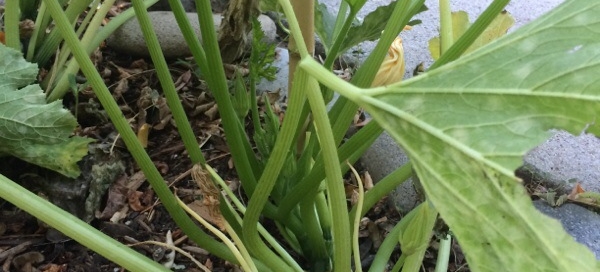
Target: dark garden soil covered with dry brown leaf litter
128, 210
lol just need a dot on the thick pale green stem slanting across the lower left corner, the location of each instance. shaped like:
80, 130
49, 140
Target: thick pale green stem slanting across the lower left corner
75, 228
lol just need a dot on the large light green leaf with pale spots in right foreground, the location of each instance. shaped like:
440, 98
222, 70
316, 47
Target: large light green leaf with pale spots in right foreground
467, 125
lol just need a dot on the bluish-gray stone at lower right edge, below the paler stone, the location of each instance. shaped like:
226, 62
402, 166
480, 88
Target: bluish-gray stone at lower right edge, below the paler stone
578, 221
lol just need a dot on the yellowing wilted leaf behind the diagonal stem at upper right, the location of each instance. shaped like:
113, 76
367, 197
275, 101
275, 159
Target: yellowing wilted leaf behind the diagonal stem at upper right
460, 24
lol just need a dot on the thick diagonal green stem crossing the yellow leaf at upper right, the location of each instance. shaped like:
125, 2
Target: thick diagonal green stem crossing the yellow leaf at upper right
465, 41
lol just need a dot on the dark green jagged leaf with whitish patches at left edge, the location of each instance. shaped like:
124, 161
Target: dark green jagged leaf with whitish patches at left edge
30, 129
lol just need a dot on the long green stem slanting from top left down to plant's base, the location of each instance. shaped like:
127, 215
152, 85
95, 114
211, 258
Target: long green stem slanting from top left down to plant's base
131, 141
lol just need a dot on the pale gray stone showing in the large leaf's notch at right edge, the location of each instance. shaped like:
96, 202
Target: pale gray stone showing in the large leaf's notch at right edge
565, 159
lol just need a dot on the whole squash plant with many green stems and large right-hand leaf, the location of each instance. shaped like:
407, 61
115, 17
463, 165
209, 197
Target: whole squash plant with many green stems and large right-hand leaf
465, 125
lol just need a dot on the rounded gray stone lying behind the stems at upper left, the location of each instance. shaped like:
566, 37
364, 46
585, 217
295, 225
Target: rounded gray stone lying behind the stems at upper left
129, 39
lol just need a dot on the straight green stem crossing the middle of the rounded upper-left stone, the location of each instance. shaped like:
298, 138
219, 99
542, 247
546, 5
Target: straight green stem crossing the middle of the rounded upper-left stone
164, 76
